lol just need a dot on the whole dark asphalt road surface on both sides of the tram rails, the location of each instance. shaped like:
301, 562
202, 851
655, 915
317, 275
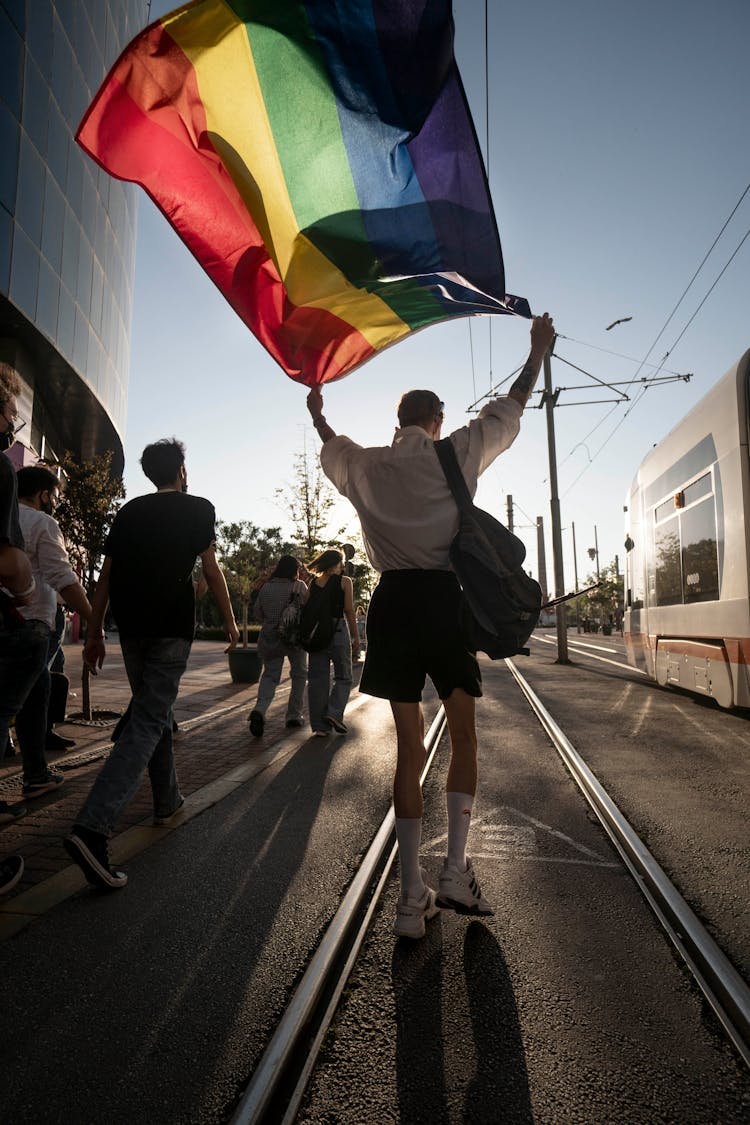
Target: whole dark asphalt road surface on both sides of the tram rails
155, 1004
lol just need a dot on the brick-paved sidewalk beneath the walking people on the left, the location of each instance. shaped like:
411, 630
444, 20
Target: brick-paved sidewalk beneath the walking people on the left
213, 741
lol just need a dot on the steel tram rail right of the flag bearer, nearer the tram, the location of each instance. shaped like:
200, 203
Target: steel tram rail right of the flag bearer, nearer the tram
718, 978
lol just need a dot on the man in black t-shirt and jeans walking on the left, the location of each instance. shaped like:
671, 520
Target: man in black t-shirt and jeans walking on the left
147, 577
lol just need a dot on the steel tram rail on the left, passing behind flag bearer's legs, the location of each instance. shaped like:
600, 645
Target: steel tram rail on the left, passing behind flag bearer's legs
276, 1060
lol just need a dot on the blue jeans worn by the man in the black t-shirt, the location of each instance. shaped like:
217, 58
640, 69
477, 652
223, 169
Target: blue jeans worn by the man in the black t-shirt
155, 668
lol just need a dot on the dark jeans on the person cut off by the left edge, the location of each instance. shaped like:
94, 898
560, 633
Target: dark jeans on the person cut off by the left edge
25, 694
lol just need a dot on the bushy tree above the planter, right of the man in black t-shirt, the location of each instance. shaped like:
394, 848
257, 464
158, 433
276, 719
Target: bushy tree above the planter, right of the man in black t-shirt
247, 555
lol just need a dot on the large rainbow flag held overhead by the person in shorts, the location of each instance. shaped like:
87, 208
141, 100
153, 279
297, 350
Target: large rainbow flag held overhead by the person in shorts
320, 161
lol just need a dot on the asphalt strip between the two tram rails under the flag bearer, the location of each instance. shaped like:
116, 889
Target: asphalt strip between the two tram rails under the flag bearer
567, 1007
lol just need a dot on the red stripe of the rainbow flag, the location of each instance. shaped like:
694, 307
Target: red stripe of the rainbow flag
158, 138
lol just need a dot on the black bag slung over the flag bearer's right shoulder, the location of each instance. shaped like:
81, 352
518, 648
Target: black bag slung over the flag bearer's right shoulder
501, 604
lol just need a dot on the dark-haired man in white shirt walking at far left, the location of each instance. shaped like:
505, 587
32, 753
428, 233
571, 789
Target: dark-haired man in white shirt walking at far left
38, 492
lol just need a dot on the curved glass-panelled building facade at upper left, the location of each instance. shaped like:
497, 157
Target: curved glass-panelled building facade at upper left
67, 229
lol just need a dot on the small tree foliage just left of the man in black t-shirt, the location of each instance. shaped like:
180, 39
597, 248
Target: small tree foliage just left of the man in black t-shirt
92, 498
